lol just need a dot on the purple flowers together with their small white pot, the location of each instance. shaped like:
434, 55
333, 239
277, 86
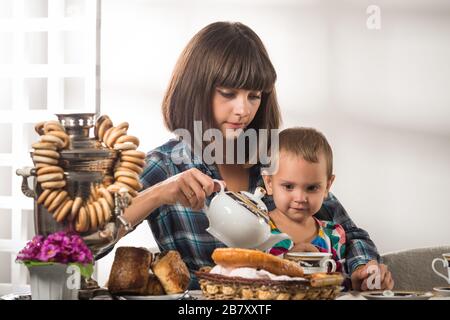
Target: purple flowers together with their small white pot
56, 264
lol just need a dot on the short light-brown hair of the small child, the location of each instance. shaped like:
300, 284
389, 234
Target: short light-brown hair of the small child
307, 143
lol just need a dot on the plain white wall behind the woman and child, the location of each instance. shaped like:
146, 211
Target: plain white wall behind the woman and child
380, 96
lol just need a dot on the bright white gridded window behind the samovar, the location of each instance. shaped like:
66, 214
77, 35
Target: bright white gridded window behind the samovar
48, 65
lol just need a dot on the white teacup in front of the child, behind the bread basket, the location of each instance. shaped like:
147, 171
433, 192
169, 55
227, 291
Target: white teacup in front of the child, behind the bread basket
313, 262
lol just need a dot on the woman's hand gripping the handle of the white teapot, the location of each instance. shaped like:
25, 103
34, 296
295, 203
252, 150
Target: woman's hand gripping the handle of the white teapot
190, 188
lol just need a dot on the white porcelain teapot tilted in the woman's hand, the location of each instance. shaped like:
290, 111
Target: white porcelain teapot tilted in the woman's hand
241, 220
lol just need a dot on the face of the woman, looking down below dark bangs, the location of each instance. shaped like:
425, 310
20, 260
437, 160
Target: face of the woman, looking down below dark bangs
234, 109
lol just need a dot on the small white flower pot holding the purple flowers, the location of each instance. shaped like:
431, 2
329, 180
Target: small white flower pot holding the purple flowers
51, 282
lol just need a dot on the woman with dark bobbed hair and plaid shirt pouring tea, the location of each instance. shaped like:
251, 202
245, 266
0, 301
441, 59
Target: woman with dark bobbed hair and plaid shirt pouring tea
225, 79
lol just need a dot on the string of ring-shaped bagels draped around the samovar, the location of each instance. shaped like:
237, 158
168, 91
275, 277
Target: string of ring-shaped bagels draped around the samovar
94, 212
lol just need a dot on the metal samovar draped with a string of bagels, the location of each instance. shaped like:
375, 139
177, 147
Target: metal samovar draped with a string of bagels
85, 162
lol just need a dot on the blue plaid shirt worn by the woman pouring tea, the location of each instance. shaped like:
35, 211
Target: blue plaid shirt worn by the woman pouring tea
176, 227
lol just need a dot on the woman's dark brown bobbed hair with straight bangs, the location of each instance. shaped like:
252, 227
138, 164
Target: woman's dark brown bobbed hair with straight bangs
223, 54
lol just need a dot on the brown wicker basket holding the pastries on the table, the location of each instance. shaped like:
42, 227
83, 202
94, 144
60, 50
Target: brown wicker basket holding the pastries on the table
313, 287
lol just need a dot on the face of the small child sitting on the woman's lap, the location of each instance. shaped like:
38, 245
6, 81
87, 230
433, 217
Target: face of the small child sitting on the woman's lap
299, 187
